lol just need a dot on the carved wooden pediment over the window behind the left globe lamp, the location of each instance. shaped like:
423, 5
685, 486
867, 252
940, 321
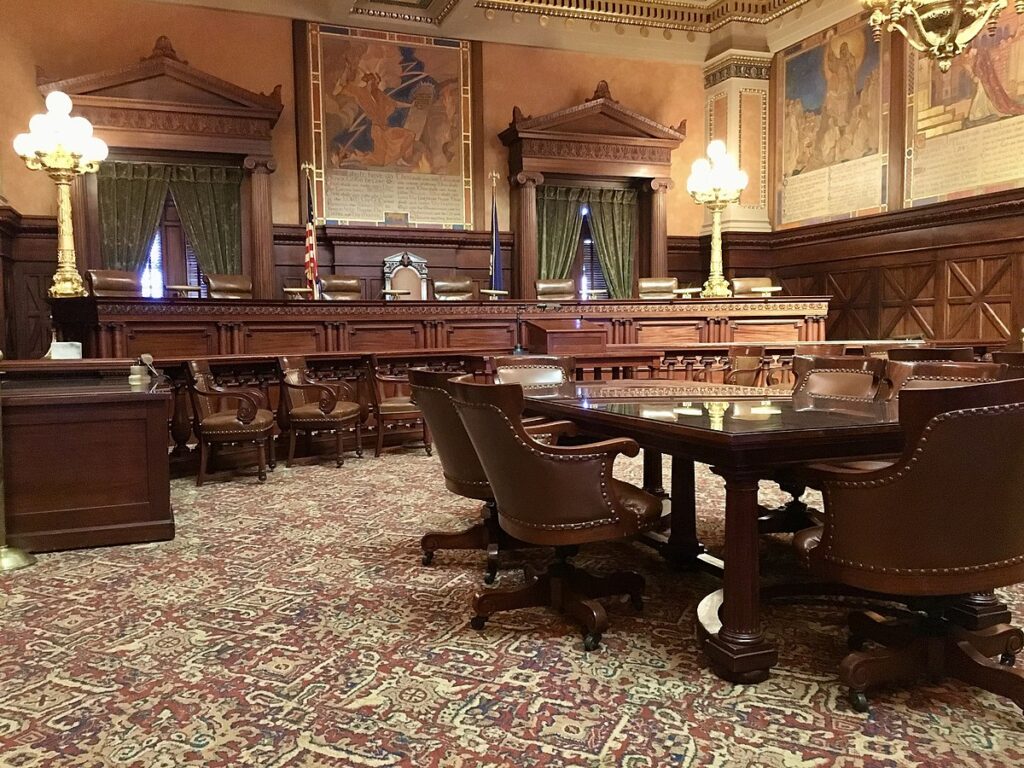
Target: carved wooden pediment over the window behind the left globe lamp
161, 103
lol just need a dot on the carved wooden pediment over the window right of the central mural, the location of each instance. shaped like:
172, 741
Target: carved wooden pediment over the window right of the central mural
602, 132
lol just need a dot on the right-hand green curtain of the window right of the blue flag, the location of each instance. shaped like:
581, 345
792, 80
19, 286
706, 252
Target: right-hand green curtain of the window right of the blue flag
613, 220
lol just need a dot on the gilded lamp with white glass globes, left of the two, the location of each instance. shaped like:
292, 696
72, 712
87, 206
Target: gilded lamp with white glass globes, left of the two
65, 148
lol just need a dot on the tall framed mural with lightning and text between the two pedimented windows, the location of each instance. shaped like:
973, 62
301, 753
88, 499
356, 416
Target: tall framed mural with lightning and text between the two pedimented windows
389, 129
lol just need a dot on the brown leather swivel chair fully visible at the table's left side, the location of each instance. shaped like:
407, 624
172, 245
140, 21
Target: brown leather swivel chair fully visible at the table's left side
556, 497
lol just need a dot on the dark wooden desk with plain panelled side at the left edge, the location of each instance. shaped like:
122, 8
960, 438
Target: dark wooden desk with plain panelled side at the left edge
86, 463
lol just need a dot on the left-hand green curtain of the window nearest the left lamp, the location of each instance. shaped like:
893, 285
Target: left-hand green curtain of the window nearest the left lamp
131, 197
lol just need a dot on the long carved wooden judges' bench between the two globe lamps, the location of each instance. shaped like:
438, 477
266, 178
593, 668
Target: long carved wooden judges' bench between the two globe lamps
201, 328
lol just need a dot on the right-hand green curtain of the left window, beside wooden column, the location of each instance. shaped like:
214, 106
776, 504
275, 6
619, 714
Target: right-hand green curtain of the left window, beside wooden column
209, 199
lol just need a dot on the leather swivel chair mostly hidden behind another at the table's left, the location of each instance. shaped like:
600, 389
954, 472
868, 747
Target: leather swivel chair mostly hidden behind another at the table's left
463, 474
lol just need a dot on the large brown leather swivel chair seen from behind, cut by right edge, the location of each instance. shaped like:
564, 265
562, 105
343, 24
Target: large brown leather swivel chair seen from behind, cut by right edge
932, 528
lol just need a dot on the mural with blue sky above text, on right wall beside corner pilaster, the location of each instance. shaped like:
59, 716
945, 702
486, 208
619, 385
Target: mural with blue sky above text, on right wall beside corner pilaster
834, 124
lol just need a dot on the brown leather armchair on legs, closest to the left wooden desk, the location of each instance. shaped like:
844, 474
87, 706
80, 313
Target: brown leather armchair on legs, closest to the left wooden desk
251, 421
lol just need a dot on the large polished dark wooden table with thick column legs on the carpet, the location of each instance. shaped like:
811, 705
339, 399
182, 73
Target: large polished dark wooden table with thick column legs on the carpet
745, 440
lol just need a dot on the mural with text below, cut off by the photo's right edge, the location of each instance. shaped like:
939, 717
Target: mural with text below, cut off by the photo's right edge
966, 127
